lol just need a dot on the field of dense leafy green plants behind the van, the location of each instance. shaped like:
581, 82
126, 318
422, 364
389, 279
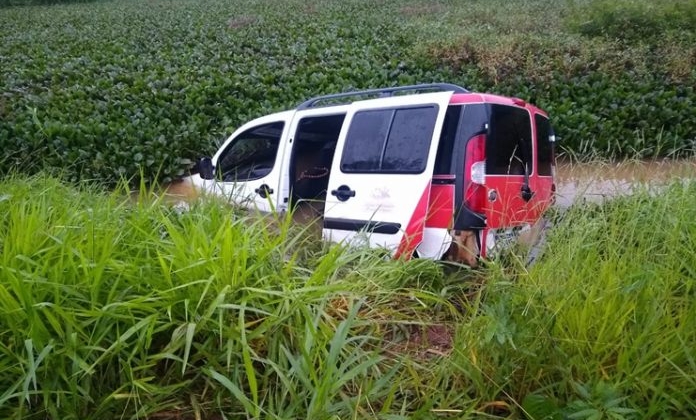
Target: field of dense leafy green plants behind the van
121, 89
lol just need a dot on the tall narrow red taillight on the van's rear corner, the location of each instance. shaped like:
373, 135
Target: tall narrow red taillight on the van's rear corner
475, 174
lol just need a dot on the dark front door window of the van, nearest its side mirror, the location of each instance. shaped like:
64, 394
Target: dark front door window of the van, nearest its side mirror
252, 154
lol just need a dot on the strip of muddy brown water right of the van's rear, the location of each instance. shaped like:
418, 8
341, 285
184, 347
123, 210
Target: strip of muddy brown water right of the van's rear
594, 182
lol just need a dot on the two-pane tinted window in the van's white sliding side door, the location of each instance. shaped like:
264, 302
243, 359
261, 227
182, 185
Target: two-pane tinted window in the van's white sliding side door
389, 140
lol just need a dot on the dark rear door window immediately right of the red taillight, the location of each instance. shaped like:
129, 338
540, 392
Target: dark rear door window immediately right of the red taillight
509, 141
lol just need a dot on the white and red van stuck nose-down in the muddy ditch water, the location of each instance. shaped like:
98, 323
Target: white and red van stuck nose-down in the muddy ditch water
432, 171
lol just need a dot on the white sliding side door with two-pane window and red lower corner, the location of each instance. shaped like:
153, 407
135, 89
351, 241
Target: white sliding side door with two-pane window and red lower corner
380, 177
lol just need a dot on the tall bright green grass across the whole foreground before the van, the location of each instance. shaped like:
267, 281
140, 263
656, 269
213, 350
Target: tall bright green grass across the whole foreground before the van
113, 307
